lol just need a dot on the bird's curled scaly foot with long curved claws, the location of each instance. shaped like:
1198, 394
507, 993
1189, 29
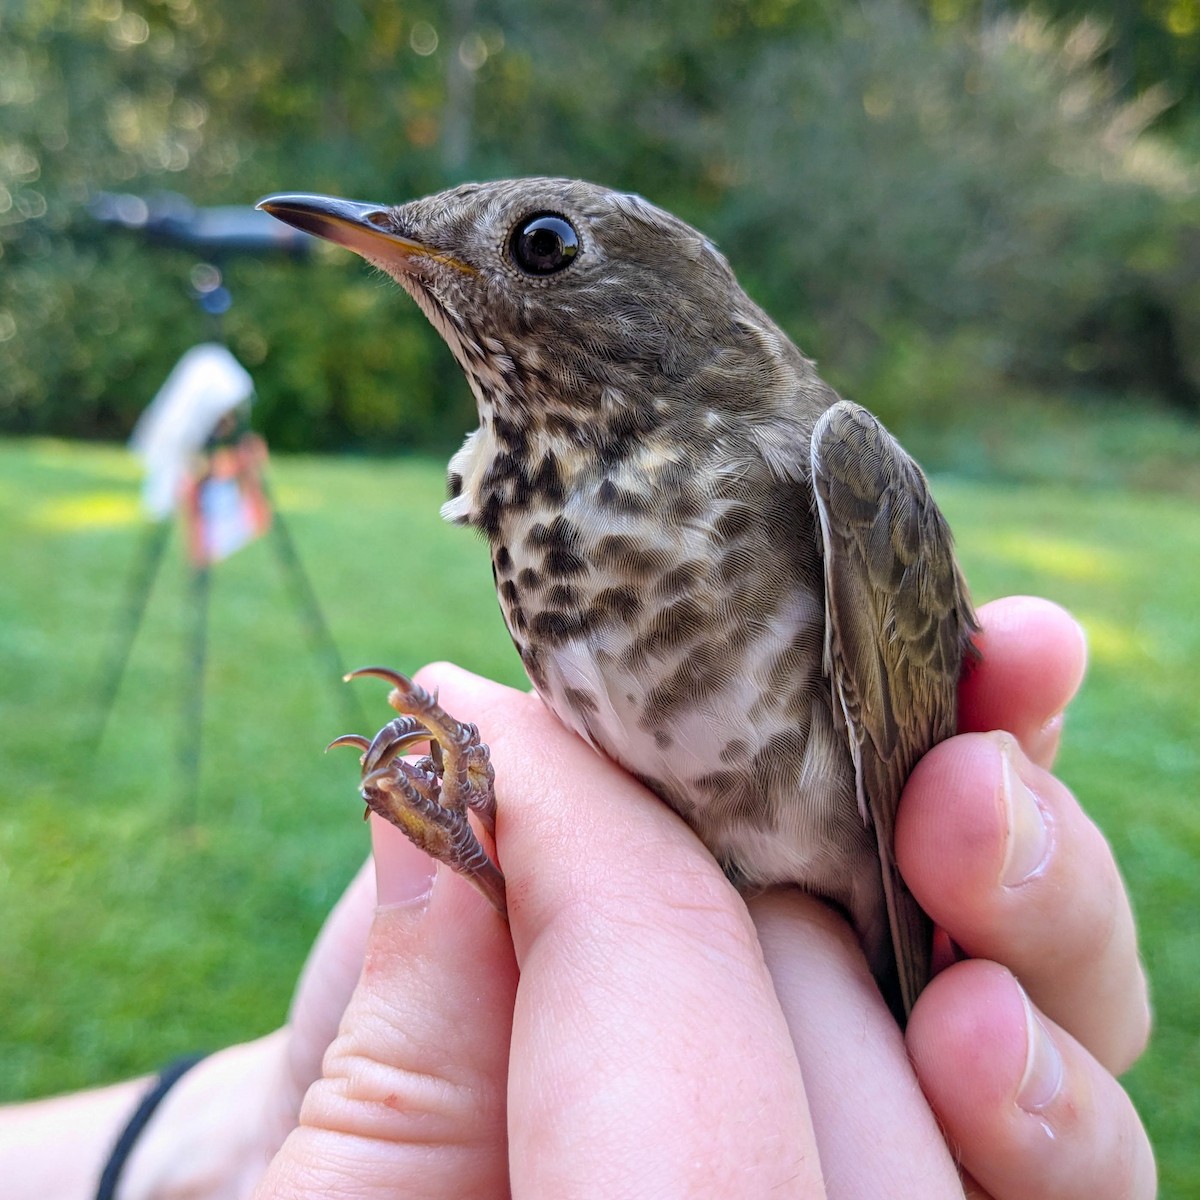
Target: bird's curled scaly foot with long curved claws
430, 800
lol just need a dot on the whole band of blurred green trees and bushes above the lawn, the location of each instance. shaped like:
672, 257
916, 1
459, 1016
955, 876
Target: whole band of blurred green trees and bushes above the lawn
963, 203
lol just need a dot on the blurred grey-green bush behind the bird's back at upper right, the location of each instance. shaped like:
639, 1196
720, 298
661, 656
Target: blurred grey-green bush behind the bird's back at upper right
986, 196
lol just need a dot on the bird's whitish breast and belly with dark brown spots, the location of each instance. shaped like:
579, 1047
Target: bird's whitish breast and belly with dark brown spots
676, 620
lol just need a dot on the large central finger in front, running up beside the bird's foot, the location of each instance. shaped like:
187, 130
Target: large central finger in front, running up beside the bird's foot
650, 1054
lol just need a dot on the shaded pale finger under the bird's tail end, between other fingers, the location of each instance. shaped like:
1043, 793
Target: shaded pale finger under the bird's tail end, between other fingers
875, 1132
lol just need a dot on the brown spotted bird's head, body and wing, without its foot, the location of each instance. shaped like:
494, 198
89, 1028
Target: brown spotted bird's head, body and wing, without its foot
715, 569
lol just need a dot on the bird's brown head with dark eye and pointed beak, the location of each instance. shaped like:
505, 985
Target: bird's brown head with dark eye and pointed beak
562, 301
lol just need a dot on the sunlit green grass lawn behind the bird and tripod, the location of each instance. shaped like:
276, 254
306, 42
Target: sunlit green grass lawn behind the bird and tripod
133, 933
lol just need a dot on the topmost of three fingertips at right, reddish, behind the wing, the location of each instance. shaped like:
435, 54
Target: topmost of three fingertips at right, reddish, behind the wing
1033, 661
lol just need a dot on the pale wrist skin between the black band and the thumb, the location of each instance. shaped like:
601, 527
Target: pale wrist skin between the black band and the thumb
207, 1141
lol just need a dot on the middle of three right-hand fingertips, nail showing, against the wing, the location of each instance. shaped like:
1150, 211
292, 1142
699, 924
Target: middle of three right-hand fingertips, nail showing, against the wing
1003, 857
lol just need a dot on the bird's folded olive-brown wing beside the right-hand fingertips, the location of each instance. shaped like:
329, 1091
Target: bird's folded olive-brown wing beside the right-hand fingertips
899, 622
